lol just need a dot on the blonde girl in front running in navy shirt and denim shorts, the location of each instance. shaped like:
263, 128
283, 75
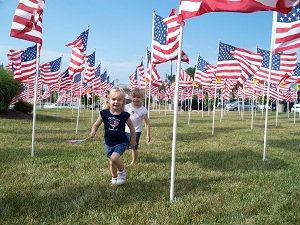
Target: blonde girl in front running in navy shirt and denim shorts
114, 118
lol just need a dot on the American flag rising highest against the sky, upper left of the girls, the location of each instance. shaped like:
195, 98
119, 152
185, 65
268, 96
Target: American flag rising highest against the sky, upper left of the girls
78, 53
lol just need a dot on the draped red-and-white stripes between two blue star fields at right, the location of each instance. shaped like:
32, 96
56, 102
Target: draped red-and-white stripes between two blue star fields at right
249, 61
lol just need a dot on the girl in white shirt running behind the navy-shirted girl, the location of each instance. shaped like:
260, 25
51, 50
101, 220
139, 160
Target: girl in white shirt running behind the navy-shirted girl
137, 113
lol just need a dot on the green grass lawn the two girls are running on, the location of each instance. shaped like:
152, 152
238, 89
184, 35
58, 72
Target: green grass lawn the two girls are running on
220, 178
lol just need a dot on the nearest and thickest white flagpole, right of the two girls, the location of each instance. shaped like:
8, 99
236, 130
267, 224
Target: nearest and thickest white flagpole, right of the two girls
175, 114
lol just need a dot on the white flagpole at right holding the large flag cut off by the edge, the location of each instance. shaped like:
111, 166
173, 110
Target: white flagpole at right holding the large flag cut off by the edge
268, 90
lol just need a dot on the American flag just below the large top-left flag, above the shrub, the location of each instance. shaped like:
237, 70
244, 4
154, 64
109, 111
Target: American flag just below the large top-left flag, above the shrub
25, 64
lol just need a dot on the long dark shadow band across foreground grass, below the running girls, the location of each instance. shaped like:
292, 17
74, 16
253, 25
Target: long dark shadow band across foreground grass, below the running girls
57, 200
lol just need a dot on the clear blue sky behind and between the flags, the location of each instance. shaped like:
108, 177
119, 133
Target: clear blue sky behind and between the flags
120, 31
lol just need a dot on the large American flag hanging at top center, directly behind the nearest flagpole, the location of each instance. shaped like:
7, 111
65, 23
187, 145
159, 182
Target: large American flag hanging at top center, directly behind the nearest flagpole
166, 39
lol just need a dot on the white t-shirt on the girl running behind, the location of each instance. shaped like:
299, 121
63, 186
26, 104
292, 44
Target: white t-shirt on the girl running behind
136, 116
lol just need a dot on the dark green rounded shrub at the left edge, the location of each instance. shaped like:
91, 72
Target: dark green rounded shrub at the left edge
9, 88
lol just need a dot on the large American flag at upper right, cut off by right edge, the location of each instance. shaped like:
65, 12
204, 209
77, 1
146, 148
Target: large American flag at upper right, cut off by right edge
287, 30
